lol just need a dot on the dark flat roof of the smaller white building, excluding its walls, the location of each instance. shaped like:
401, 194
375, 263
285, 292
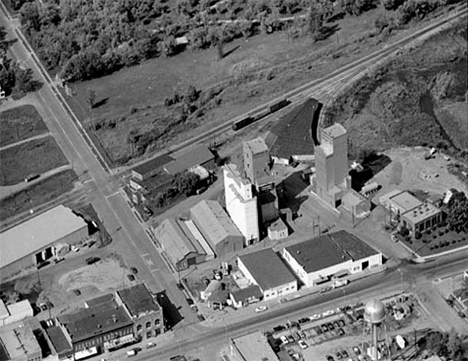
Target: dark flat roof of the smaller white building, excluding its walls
267, 269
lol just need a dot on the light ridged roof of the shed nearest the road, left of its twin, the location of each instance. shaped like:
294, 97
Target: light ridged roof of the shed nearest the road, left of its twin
177, 240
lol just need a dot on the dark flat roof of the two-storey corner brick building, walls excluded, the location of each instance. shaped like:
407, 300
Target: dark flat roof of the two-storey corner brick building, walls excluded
138, 300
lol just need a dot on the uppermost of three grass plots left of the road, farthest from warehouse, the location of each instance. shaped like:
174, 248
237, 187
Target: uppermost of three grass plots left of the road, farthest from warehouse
20, 123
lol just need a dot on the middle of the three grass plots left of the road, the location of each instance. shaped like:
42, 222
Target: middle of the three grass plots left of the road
34, 157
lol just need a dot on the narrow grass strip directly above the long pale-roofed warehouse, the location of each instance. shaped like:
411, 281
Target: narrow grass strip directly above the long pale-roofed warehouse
39, 193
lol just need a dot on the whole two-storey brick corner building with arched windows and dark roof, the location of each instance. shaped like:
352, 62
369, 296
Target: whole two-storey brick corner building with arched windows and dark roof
143, 309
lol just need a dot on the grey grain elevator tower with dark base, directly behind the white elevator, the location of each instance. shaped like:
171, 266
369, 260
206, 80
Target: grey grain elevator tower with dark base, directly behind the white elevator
257, 166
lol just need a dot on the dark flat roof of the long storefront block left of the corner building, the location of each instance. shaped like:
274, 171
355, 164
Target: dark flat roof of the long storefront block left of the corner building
94, 321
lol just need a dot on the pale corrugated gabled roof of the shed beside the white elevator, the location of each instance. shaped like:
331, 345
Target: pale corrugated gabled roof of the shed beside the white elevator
213, 221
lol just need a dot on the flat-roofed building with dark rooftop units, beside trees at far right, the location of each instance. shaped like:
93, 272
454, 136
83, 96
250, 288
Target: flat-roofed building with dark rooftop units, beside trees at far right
422, 218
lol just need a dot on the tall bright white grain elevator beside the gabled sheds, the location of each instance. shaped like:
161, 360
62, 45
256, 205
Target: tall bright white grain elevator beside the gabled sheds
241, 204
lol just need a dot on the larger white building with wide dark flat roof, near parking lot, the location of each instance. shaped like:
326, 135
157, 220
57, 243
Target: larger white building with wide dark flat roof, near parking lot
330, 256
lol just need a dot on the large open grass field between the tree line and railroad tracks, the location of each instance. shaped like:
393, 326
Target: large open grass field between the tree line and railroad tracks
255, 70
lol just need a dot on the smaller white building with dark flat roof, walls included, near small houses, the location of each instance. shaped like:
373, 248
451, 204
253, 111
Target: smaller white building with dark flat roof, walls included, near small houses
265, 269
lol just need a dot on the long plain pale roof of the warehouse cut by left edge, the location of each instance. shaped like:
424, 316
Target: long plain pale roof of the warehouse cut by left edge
37, 233
